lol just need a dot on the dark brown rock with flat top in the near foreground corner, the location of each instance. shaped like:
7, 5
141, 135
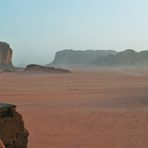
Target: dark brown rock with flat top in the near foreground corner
12, 131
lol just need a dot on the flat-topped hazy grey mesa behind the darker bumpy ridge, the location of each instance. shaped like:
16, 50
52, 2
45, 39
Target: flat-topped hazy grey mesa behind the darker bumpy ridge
78, 57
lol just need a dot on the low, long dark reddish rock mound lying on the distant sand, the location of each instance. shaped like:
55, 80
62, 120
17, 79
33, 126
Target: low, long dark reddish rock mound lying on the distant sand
39, 68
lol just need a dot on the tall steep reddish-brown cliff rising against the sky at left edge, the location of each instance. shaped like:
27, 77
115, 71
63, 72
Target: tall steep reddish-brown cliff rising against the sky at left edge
5, 56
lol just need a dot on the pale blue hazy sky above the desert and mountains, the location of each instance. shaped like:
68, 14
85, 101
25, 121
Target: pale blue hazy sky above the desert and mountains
36, 29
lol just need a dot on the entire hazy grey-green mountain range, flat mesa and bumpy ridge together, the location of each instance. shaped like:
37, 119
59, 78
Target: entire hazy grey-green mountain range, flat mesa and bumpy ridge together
100, 58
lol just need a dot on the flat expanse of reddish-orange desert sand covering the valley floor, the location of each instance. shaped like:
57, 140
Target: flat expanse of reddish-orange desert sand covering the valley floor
104, 109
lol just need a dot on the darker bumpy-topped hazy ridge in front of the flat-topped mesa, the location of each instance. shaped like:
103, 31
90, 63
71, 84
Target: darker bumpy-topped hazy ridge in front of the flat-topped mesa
124, 58
